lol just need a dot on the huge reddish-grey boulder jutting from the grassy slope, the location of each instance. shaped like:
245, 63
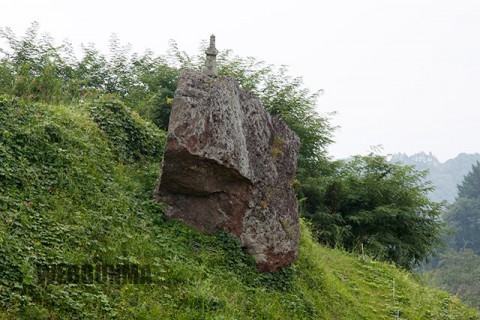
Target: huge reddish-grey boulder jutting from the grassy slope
229, 165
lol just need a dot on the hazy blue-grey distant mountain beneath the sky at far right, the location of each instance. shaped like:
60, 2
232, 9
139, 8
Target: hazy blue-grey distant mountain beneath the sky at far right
445, 176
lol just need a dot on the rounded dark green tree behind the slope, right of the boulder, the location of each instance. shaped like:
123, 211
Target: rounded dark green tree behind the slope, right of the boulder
381, 206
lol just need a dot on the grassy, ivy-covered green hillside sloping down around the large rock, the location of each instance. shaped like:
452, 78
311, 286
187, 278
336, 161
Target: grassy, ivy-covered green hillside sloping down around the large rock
75, 189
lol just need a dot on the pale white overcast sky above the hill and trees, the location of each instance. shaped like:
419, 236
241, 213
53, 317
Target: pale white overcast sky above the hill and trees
401, 74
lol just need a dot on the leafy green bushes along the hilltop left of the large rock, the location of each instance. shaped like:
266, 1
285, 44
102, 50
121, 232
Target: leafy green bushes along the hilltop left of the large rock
34, 68
